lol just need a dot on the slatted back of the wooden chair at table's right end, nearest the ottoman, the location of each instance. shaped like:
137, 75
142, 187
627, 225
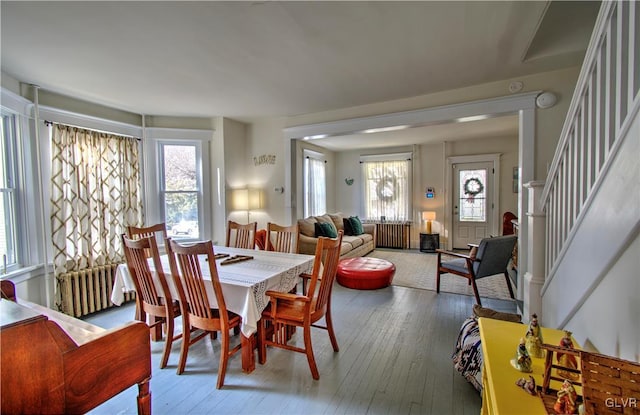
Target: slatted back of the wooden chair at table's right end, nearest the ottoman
324, 272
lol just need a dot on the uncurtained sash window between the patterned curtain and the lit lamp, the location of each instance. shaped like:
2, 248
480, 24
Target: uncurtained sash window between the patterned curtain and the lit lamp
181, 188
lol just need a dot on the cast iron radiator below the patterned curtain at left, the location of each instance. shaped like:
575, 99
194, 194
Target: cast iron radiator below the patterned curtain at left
87, 291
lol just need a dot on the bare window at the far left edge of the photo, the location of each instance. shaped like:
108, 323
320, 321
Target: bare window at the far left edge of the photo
8, 192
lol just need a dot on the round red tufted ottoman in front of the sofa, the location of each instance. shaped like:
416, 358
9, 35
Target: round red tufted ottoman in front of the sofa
365, 273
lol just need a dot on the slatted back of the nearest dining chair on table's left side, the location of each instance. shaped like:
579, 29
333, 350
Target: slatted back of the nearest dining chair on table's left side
189, 276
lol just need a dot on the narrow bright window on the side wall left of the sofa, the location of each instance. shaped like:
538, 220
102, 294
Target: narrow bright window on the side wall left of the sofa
315, 186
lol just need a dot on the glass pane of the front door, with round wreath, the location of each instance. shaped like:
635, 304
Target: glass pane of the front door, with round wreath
473, 198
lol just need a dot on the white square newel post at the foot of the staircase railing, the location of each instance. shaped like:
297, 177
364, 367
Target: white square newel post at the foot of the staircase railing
534, 277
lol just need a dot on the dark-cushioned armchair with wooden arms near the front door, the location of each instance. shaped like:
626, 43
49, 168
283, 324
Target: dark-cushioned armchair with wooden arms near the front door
491, 258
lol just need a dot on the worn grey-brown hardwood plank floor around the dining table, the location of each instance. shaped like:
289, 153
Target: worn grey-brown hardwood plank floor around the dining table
395, 358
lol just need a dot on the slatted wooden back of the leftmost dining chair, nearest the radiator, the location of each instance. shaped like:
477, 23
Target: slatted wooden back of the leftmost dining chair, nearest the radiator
136, 256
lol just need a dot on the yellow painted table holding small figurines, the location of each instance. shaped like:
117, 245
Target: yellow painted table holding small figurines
500, 395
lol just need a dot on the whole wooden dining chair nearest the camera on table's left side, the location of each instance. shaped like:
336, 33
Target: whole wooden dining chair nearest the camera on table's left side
194, 300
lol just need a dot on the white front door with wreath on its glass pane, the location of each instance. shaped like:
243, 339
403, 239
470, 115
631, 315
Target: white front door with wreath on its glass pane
472, 203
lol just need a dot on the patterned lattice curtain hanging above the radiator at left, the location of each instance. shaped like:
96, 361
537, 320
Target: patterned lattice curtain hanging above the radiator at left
95, 193
